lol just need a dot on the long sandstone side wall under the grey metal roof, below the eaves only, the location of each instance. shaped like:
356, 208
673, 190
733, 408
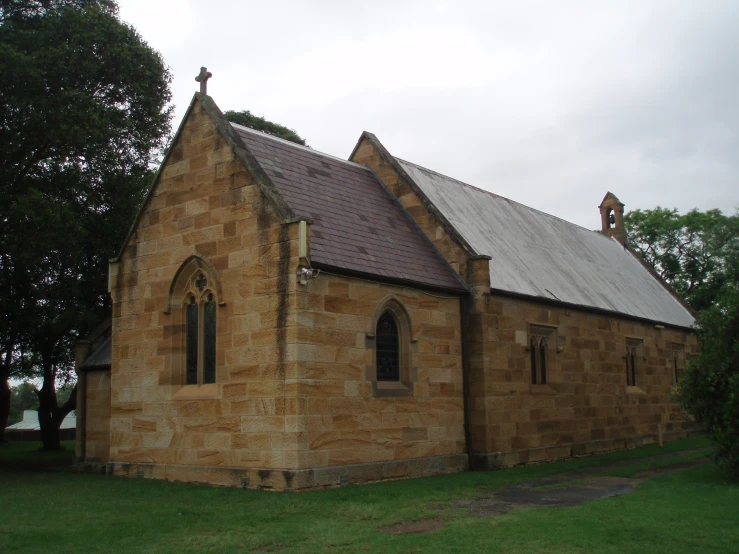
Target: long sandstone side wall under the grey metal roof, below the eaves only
586, 405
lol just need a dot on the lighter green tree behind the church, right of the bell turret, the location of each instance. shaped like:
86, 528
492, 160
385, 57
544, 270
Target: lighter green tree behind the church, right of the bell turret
696, 253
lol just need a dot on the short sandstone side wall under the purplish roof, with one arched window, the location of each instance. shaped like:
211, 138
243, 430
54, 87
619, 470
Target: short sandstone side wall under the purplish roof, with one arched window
343, 418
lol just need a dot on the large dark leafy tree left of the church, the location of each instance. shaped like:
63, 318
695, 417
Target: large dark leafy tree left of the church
84, 104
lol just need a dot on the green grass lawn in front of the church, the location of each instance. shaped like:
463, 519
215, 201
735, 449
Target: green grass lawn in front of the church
692, 510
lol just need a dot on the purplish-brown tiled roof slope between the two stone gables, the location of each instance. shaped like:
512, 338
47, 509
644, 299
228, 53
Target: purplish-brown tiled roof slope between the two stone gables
358, 225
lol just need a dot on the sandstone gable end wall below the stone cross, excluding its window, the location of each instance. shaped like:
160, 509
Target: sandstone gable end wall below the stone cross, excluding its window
206, 204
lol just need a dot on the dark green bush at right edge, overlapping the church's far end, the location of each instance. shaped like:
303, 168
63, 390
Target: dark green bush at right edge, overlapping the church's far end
709, 388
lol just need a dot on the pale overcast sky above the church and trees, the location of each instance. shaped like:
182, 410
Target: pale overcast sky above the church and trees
549, 103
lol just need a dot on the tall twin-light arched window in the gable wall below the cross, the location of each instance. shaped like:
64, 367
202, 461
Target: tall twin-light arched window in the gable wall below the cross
193, 305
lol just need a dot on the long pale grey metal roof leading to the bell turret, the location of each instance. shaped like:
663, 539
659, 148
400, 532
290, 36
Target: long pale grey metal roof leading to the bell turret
539, 255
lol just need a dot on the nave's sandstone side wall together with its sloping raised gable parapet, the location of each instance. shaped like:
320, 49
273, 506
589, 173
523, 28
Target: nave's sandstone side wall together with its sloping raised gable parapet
586, 406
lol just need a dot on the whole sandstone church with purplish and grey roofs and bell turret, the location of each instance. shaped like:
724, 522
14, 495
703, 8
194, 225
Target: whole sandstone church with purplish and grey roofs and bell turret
286, 319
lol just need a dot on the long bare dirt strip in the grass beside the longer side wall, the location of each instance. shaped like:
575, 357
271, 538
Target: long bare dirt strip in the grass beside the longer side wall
570, 489
